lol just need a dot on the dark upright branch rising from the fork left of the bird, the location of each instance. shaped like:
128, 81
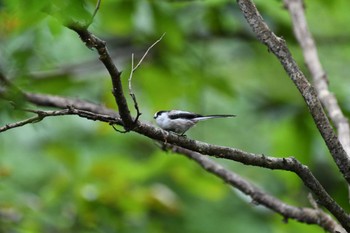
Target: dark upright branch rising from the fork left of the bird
92, 41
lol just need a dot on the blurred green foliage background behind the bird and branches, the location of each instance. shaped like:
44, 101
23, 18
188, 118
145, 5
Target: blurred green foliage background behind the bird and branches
67, 174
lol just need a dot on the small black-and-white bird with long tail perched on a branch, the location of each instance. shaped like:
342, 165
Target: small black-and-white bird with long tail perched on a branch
180, 121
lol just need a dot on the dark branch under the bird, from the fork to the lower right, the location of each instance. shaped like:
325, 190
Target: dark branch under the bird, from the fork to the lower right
288, 164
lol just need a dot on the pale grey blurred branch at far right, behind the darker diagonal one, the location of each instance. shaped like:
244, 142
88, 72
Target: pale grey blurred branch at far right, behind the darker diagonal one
319, 76
